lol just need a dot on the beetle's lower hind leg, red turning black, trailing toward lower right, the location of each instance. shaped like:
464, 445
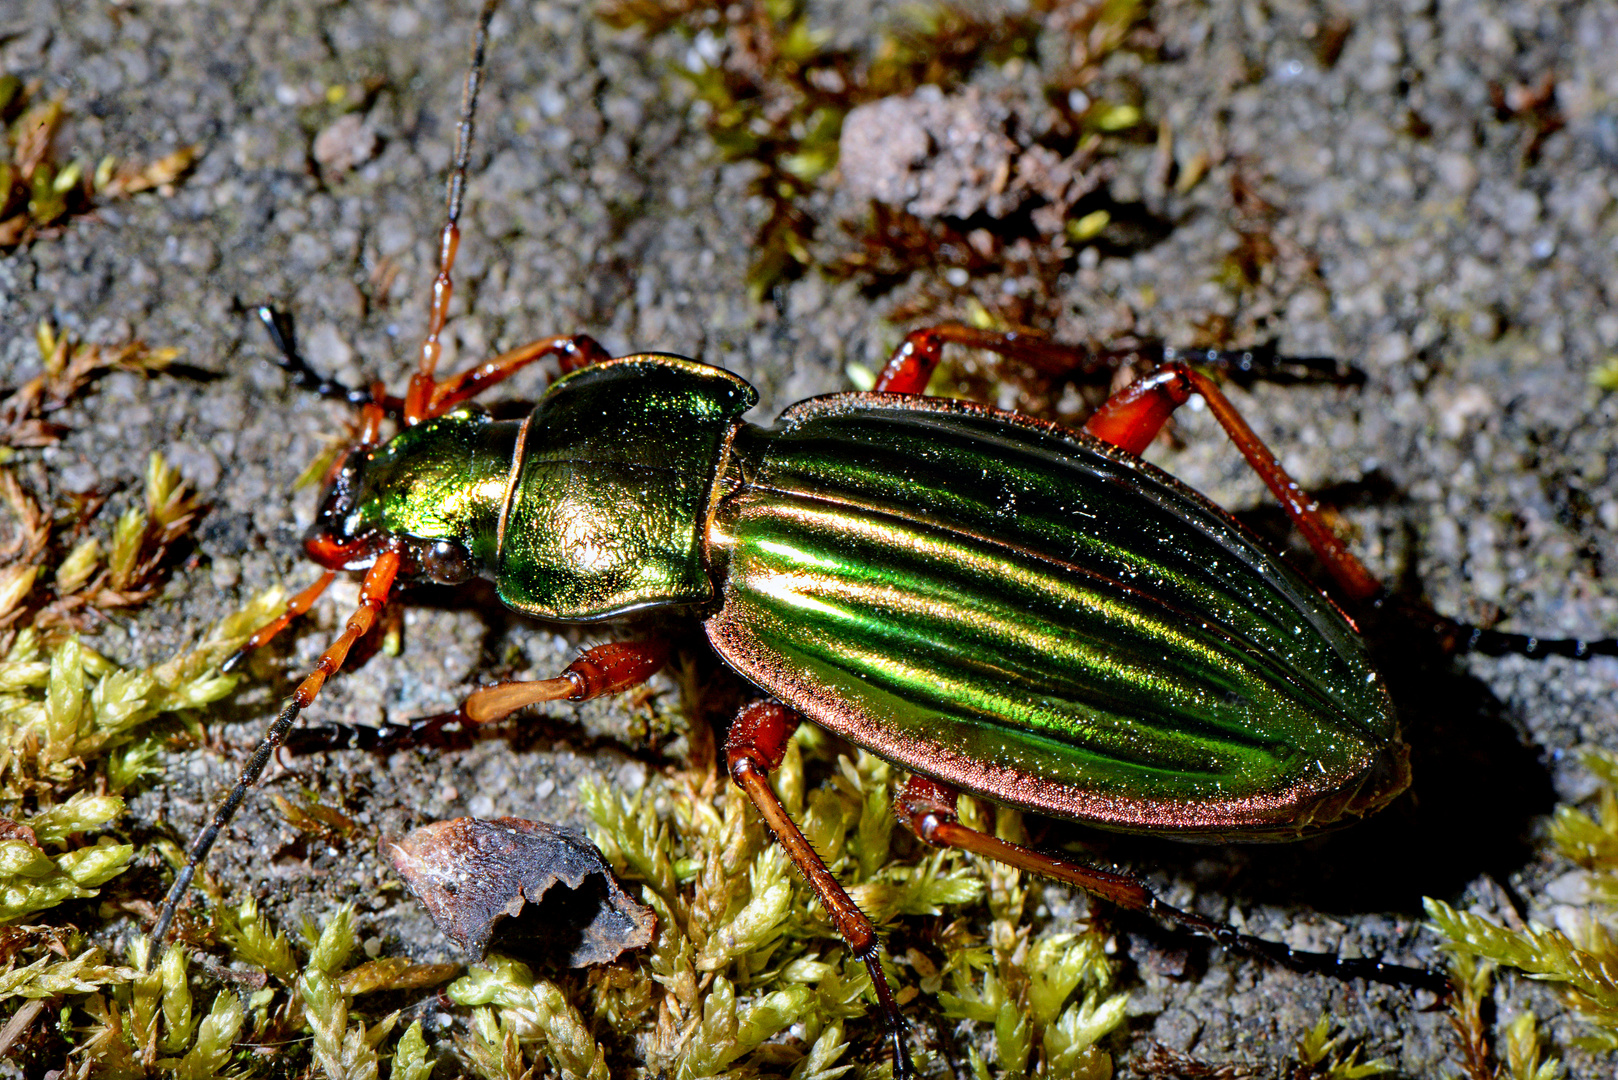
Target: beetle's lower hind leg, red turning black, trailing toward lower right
928, 807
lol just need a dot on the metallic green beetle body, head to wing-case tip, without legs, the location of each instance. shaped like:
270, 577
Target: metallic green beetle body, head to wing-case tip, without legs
1007, 606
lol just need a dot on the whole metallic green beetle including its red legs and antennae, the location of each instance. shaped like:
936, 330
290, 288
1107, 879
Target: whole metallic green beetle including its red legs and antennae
999, 605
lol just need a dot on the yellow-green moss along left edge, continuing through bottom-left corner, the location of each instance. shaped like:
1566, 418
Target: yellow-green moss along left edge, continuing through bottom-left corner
75, 731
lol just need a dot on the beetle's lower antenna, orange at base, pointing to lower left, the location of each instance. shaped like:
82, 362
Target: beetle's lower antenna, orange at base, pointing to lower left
373, 593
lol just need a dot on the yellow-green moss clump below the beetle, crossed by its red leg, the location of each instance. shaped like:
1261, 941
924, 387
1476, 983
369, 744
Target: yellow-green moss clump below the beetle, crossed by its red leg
748, 977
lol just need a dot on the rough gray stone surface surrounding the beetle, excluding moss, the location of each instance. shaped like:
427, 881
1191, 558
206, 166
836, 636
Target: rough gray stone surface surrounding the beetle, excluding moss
1470, 283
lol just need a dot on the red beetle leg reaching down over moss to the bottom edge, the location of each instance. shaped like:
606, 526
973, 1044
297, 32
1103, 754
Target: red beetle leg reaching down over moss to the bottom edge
755, 747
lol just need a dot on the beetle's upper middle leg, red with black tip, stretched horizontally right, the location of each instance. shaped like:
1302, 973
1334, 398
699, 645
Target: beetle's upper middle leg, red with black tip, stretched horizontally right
915, 360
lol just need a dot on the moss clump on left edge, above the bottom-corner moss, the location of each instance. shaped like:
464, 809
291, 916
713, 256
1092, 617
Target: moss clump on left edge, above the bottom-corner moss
74, 725
